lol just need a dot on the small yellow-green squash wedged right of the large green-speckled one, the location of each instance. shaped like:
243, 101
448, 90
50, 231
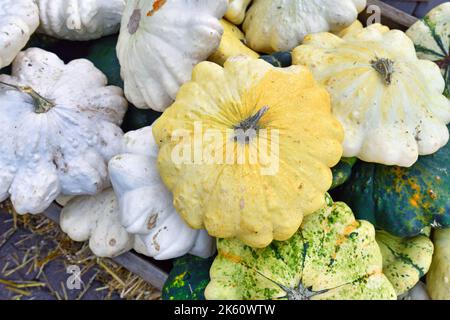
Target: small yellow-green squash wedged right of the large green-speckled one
405, 260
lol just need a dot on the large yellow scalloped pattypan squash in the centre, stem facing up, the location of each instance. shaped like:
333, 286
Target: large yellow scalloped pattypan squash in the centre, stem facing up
272, 166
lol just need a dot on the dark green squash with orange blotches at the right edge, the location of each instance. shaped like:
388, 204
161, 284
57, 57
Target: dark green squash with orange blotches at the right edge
402, 201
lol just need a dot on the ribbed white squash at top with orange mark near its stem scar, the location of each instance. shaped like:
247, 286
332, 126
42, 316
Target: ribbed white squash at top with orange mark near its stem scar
159, 44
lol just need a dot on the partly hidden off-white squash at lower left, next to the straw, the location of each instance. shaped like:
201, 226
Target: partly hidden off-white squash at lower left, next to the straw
96, 218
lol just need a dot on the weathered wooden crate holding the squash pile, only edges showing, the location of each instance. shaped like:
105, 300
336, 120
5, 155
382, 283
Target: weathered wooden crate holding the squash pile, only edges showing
156, 272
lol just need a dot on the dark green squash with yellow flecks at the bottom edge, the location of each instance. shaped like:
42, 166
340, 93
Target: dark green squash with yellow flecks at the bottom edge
188, 279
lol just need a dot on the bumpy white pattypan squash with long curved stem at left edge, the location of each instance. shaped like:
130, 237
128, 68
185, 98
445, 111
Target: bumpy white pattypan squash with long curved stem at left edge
59, 125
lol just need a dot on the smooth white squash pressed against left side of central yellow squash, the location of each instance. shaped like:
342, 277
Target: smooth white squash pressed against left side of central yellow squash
146, 206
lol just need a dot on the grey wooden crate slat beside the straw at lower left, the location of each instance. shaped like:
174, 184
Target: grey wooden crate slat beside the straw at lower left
129, 260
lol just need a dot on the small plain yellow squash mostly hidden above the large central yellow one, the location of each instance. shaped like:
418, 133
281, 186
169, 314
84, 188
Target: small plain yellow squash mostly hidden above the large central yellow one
231, 44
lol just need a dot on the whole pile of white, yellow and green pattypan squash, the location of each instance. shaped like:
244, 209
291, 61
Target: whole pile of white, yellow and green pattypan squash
353, 201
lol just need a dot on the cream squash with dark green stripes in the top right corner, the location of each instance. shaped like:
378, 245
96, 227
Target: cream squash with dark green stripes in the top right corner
431, 37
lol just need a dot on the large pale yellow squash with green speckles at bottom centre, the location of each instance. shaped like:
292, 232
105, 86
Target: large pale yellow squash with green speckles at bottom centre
332, 256
